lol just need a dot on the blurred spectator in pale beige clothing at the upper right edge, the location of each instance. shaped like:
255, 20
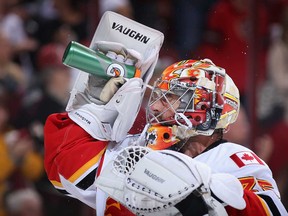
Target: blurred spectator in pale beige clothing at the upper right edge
273, 94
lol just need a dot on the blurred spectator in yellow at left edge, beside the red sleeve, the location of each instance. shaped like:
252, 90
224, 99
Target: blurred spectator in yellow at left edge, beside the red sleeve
18, 156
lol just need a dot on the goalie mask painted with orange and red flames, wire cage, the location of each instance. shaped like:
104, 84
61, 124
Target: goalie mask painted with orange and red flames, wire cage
191, 98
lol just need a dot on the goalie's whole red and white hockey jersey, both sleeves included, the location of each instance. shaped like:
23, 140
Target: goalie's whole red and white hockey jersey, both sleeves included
73, 159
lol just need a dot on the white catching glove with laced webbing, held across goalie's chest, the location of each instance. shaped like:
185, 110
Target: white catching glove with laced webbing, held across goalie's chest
149, 181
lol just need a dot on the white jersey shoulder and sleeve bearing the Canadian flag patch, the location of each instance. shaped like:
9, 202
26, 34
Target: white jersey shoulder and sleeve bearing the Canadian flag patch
252, 172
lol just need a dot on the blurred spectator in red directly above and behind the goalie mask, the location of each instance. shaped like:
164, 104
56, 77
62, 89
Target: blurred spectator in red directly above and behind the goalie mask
227, 39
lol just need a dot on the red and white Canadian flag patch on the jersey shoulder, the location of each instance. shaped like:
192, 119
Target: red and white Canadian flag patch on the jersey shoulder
246, 158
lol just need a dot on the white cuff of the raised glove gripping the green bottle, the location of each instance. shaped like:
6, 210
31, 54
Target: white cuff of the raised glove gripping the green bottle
113, 120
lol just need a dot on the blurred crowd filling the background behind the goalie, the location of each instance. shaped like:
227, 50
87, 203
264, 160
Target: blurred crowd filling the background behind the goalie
247, 38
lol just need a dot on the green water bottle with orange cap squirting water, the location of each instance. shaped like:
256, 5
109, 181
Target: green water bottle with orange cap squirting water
93, 62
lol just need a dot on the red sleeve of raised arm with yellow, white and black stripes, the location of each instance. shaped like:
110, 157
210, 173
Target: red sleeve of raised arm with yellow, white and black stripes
70, 152
